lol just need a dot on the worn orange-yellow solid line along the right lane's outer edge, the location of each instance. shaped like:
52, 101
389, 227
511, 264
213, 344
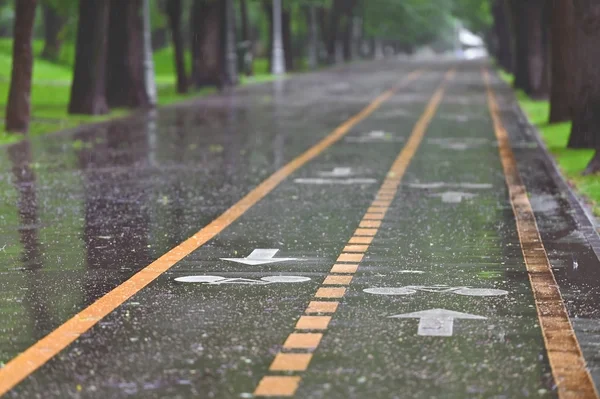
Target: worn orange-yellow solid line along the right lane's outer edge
569, 370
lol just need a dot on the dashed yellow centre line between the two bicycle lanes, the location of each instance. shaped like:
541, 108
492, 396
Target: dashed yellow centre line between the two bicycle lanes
342, 272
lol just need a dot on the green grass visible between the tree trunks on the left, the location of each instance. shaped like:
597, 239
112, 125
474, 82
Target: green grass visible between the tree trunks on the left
52, 85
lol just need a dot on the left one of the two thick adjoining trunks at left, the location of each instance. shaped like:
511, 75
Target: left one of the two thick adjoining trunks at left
88, 90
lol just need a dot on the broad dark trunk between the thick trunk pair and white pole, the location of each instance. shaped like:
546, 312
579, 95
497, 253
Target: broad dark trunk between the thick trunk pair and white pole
208, 43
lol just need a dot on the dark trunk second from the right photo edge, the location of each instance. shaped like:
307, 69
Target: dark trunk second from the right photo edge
562, 28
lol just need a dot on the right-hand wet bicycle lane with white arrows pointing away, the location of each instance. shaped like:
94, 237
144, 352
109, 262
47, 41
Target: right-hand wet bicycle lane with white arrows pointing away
441, 305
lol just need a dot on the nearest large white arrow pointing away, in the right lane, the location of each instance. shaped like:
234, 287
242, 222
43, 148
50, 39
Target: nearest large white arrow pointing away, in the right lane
437, 322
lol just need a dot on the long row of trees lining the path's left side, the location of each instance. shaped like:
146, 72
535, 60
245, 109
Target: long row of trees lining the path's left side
114, 41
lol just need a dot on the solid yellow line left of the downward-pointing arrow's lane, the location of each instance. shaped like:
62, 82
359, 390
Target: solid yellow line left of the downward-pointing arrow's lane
46, 348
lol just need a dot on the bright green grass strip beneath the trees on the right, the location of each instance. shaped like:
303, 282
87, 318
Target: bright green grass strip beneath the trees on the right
571, 162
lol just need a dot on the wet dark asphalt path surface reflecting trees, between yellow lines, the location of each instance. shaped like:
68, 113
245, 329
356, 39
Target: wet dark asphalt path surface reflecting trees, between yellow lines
82, 212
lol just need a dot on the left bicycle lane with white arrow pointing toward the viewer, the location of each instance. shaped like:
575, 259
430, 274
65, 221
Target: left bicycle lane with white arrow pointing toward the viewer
183, 338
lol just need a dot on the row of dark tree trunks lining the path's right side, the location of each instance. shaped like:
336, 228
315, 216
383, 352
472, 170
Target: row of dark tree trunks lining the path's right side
552, 49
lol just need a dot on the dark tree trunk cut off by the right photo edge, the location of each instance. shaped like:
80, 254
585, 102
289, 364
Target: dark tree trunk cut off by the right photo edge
585, 131
